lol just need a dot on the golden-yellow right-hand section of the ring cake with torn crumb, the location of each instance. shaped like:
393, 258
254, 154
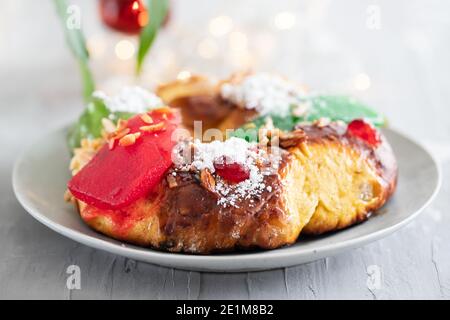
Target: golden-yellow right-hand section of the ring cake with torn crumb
373, 168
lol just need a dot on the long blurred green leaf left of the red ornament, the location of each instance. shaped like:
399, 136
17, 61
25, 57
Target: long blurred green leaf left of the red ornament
77, 44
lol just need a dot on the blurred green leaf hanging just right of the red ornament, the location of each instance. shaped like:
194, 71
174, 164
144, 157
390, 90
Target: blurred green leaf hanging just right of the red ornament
157, 10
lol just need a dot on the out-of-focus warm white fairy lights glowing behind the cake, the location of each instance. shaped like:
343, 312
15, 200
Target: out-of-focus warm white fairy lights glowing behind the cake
223, 43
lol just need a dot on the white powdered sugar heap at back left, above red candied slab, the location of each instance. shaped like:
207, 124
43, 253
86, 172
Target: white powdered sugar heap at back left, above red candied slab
131, 99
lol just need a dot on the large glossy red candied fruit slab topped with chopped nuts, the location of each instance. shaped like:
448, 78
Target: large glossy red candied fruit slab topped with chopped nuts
116, 177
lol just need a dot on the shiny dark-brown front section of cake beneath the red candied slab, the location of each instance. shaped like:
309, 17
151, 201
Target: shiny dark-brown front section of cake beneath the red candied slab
187, 217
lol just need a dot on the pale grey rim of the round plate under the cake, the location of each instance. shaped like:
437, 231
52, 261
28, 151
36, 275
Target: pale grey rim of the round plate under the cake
213, 263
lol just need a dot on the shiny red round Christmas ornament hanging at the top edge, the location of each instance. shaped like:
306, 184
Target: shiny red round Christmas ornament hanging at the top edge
128, 16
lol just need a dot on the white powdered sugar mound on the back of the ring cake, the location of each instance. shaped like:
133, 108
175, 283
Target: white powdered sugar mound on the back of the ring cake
266, 93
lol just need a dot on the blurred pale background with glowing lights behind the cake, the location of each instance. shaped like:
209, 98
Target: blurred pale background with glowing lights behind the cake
394, 55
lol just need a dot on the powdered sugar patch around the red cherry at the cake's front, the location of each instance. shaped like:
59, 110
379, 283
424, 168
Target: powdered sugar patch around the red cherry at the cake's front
233, 150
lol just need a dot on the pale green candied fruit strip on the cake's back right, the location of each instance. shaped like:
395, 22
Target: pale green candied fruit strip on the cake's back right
342, 108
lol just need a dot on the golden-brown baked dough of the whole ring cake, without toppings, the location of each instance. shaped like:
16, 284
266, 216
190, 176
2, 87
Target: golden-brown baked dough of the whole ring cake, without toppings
327, 181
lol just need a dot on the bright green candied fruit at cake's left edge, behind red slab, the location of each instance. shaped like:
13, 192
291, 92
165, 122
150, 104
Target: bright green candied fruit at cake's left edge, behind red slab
89, 125
